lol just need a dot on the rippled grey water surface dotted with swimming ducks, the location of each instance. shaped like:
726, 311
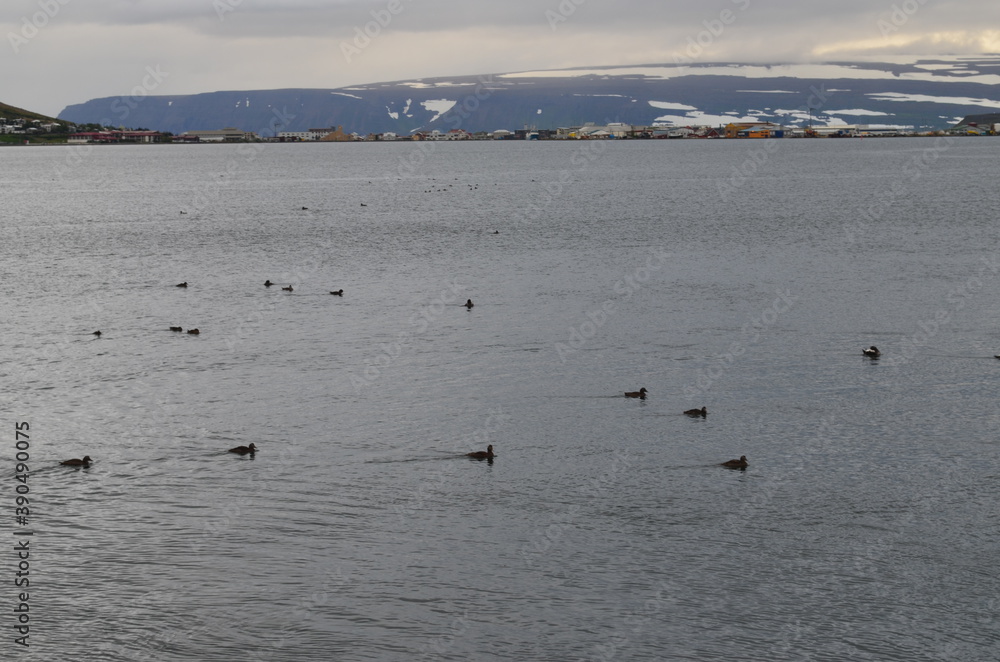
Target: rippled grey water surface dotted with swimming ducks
736, 275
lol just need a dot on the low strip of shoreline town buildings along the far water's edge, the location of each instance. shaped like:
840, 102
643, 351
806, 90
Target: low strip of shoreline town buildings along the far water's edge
55, 132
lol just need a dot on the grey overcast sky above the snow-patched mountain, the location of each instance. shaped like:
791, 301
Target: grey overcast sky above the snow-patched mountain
60, 52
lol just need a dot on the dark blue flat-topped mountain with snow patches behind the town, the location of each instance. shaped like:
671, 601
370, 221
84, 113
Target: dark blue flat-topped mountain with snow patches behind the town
925, 94
